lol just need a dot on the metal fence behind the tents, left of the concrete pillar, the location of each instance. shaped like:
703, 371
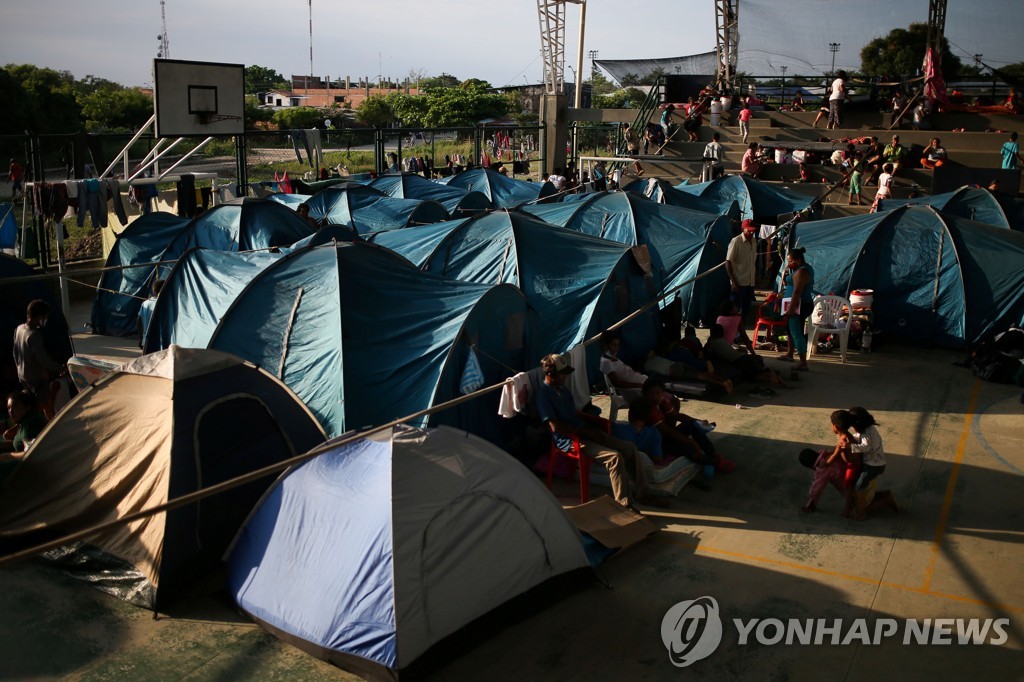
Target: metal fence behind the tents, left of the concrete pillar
269, 155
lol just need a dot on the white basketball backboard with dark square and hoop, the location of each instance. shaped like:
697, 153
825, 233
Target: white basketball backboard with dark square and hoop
198, 99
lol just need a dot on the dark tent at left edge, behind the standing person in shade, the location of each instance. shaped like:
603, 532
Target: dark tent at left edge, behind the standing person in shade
15, 300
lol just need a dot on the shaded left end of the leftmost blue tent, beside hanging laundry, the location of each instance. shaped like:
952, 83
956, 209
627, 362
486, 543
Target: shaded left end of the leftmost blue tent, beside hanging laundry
120, 294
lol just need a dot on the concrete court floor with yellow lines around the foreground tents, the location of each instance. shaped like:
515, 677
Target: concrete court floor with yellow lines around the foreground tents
955, 551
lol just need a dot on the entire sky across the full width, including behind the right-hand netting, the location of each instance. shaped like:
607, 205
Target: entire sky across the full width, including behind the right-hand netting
495, 40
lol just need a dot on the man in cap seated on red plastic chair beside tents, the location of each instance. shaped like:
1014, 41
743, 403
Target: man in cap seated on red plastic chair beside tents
558, 410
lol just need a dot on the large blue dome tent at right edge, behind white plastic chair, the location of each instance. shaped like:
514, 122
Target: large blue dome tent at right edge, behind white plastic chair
936, 278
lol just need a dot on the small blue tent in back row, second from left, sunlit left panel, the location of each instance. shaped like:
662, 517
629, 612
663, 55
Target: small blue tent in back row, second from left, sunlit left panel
371, 211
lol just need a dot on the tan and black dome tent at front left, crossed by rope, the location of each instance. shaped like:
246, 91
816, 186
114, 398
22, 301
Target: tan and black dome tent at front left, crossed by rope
159, 428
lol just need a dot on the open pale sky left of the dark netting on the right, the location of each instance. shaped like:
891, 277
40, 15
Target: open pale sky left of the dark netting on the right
496, 40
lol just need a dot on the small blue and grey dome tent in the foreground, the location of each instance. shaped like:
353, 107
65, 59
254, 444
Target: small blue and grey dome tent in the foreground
380, 555
